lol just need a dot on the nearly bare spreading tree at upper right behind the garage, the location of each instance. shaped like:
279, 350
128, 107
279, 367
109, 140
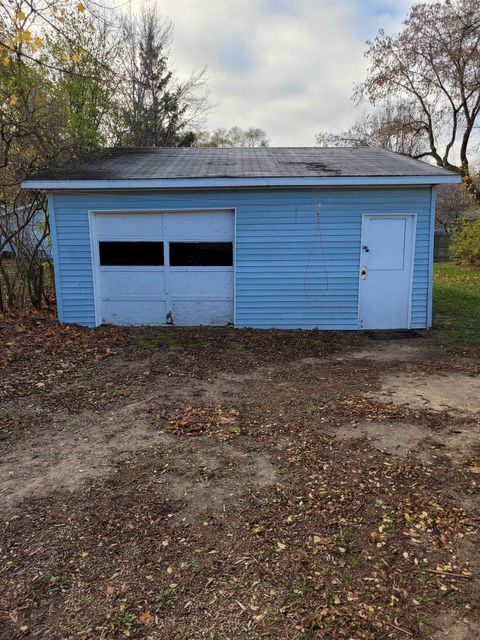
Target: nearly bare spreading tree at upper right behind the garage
433, 63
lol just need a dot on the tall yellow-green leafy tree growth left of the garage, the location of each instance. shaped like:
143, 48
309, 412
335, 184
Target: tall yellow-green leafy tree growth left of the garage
55, 97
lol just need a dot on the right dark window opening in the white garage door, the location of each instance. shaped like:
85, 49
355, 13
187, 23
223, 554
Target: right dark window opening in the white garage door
201, 254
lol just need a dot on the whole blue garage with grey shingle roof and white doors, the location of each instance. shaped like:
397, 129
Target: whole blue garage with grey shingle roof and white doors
334, 238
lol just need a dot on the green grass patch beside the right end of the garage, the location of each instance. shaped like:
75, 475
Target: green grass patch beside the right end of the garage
456, 305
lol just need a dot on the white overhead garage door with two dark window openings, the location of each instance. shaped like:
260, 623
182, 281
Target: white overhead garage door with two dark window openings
164, 268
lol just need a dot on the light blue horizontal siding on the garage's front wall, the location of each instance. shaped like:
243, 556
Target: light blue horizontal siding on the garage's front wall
296, 262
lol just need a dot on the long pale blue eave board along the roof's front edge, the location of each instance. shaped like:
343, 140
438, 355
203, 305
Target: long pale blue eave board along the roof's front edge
206, 183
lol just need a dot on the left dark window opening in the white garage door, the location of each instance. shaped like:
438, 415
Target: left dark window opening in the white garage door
131, 254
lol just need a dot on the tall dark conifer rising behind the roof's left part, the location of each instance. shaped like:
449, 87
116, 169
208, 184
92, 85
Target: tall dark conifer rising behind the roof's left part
158, 109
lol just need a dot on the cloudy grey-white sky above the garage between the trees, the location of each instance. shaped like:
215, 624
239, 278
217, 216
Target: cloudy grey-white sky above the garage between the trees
287, 66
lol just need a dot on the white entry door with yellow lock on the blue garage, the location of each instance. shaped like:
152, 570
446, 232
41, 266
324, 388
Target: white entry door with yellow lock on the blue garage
386, 271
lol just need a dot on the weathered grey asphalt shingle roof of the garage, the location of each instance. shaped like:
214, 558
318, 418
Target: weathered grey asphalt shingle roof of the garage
279, 162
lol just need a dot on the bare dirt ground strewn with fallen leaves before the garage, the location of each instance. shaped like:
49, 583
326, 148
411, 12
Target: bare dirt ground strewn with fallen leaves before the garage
219, 484
